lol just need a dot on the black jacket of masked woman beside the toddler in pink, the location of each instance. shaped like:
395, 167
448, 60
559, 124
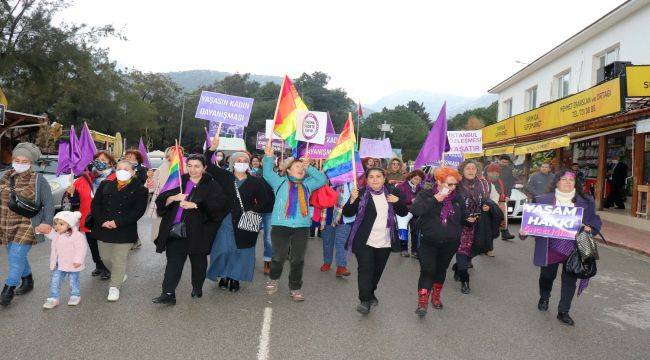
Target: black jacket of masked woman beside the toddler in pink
125, 206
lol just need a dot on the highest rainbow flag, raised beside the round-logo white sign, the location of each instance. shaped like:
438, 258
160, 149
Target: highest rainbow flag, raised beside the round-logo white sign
286, 112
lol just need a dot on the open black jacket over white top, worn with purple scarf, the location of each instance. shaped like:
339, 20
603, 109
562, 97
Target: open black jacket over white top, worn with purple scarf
370, 215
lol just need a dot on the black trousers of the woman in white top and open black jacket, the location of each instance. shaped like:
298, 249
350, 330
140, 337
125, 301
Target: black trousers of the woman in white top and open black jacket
371, 263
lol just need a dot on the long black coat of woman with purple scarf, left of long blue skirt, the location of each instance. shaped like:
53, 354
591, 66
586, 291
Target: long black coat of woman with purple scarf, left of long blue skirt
202, 223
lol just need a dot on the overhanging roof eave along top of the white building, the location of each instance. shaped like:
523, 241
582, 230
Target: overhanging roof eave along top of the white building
606, 21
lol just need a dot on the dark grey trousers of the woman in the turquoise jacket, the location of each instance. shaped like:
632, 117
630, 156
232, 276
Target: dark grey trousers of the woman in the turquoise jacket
289, 243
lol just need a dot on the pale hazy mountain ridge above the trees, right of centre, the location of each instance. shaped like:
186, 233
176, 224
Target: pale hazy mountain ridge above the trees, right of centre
433, 101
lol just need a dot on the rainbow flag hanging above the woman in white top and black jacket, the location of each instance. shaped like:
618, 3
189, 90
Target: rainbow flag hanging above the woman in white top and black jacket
338, 166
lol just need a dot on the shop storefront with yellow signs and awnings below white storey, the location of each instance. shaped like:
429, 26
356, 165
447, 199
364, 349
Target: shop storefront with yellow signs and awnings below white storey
589, 128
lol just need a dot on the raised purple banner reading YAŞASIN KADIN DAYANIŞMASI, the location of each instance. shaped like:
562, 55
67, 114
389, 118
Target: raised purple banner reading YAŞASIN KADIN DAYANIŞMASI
224, 108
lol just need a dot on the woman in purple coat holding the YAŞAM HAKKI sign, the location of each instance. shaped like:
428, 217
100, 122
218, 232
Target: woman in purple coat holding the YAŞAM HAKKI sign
550, 253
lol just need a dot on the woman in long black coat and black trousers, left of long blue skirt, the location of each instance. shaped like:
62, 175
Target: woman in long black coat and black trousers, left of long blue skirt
189, 221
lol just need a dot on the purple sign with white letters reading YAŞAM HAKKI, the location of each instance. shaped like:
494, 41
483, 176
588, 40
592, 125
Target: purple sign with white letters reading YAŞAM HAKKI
558, 222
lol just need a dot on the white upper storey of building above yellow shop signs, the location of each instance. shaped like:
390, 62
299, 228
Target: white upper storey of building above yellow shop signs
621, 35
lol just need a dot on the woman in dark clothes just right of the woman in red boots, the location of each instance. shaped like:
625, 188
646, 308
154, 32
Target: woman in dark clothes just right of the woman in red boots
475, 192
